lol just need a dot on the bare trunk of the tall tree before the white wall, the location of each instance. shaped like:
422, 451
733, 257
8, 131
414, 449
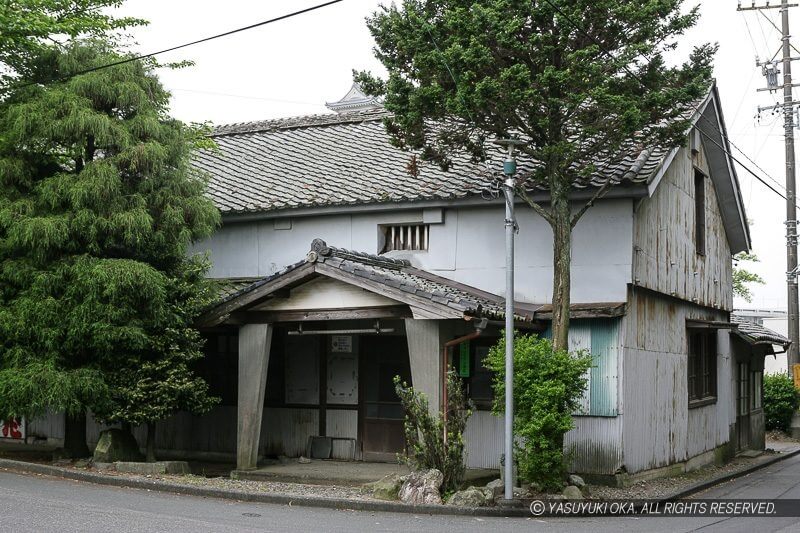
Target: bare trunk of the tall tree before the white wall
562, 259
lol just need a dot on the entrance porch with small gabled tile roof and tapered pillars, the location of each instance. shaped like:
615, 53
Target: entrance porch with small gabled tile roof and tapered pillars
334, 284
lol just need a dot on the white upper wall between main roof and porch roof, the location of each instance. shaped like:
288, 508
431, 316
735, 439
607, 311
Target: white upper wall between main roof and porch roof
467, 247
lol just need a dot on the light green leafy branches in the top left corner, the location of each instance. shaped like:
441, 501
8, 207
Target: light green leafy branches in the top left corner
30, 27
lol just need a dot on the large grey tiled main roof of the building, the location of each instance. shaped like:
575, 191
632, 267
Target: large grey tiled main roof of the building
348, 159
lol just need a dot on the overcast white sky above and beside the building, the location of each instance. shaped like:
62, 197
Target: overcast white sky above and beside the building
294, 66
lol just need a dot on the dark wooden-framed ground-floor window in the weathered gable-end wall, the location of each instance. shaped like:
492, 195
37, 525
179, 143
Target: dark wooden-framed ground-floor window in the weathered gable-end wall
701, 366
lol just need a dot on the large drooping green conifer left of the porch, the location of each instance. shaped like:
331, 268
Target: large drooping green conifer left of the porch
98, 208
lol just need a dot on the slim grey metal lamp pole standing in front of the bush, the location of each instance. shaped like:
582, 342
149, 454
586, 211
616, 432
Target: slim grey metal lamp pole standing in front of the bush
509, 169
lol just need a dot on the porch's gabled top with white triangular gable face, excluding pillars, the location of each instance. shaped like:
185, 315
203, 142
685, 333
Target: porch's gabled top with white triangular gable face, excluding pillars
392, 288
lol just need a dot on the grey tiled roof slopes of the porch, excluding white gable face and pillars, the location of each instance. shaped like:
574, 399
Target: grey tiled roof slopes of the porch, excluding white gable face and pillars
427, 295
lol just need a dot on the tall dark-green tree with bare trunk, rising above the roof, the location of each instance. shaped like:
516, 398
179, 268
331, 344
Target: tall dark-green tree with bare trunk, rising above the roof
508, 67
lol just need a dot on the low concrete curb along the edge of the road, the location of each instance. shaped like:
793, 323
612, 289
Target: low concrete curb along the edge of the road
332, 503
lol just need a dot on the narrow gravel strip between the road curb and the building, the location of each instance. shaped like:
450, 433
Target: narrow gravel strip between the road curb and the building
215, 478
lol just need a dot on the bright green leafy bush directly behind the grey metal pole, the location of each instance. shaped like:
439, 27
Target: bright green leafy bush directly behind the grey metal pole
548, 385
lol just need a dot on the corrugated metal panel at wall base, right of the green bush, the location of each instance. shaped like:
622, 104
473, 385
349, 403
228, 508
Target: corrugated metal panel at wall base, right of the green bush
594, 446
